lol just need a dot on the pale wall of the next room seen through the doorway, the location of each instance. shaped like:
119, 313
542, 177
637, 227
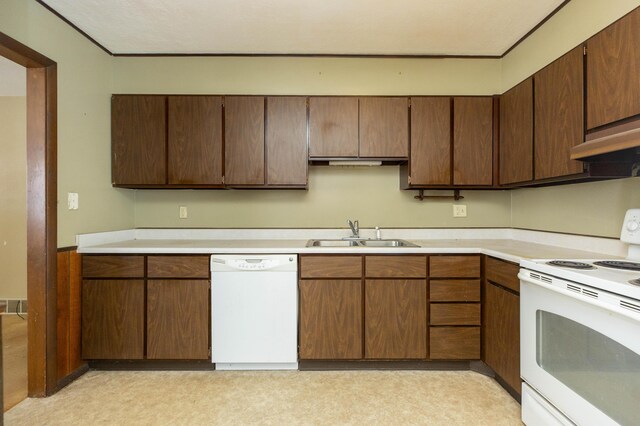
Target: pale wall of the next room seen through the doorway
13, 197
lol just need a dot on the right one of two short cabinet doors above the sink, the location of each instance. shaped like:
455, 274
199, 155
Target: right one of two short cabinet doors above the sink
384, 127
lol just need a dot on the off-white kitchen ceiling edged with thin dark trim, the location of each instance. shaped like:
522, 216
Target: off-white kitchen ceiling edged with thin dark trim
304, 27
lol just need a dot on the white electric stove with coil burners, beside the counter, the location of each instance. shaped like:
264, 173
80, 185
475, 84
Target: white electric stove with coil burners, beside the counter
580, 338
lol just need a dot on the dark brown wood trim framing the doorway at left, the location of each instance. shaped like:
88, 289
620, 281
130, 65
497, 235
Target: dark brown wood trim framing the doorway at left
41, 213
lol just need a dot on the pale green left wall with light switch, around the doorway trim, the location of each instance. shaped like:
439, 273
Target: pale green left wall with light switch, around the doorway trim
85, 83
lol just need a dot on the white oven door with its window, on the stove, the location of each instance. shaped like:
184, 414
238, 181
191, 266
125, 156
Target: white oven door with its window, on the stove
580, 354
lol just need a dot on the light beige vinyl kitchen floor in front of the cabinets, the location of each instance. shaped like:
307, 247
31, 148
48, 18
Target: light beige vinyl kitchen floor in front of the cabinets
273, 398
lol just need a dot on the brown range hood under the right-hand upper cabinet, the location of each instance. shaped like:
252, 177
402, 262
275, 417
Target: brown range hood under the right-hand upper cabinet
621, 141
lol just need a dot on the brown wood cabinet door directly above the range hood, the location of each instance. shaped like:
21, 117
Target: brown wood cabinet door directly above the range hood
613, 69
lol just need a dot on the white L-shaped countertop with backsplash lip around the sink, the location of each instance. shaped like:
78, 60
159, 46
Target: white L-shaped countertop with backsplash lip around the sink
508, 244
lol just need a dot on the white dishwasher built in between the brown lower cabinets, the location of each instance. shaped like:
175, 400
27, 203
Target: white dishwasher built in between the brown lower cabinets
254, 312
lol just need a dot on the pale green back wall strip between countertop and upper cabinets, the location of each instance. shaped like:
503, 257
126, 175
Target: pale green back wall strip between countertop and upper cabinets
369, 194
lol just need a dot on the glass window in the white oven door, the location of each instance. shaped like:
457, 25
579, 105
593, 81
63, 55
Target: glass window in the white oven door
599, 369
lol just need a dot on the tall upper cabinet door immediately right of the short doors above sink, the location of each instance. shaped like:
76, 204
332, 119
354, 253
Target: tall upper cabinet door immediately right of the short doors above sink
430, 141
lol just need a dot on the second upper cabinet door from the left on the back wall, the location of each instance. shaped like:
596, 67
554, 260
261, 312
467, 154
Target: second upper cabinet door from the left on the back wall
195, 140
